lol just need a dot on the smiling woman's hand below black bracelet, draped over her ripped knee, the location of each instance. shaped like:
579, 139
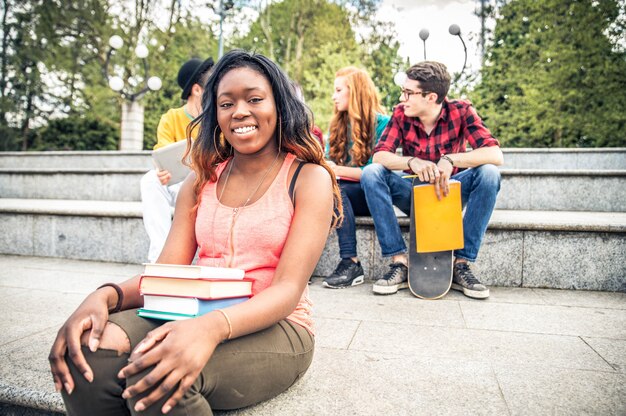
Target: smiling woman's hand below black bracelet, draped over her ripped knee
92, 314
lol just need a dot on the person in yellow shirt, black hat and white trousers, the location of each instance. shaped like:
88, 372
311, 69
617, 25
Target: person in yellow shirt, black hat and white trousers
158, 195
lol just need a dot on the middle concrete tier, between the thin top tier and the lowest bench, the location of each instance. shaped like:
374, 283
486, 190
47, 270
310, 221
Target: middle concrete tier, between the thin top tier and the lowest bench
525, 189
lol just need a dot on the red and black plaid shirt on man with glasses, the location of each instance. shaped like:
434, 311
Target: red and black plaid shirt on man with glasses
457, 125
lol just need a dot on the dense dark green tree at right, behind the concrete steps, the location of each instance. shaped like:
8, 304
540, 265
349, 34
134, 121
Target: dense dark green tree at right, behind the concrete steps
554, 74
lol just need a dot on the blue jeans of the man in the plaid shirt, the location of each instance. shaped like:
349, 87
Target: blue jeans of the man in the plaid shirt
384, 188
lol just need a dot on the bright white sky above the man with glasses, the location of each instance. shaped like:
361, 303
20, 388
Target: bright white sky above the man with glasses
410, 16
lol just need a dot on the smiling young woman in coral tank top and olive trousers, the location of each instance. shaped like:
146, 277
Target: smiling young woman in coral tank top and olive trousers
260, 198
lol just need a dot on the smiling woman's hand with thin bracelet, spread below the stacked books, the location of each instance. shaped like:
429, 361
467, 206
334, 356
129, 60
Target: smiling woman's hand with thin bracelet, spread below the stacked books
179, 350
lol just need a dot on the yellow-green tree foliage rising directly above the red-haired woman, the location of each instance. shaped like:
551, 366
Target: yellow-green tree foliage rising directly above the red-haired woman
313, 39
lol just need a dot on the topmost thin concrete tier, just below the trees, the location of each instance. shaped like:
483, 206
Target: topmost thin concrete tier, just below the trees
523, 158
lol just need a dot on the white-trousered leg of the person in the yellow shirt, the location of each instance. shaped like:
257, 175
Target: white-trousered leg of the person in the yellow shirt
156, 203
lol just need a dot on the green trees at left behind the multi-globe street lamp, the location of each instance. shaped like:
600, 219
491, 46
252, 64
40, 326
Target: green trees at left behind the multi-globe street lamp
53, 58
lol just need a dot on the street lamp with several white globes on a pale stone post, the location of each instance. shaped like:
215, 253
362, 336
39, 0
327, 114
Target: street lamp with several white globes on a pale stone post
132, 109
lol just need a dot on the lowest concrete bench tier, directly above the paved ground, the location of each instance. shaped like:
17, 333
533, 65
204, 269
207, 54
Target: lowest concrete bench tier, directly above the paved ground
553, 249
